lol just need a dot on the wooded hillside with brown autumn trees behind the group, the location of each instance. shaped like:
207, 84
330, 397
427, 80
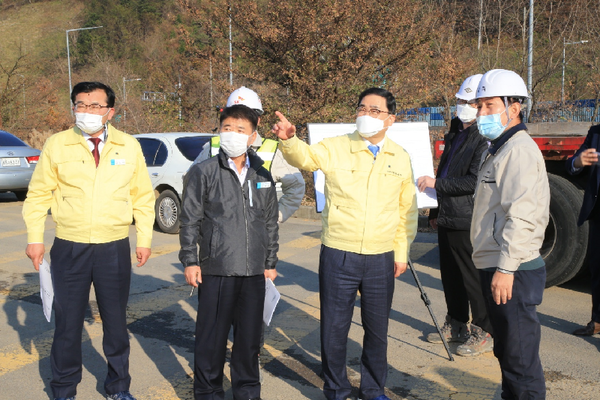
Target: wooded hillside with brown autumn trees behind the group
169, 61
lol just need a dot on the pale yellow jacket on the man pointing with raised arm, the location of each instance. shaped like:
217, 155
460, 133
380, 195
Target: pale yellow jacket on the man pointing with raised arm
371, 206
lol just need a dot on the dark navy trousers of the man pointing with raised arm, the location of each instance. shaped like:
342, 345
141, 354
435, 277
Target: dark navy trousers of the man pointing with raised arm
341, 275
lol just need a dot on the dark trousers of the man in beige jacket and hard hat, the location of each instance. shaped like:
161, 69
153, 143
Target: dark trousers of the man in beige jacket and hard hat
517, 334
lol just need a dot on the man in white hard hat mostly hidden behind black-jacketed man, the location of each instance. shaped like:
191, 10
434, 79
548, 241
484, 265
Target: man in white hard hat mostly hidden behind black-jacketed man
292, 182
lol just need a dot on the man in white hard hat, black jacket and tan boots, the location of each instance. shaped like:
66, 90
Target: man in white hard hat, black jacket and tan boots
455, 185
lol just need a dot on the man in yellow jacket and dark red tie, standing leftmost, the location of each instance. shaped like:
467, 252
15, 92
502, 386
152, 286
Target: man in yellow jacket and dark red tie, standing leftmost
94, 179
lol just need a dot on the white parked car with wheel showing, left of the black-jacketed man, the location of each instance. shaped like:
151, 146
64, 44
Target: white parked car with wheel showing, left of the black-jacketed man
168, 157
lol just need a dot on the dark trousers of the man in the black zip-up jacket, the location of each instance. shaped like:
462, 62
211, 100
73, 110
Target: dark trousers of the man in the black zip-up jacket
224, 301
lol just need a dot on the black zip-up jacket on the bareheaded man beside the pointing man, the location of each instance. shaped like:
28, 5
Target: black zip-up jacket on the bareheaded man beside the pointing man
235, 226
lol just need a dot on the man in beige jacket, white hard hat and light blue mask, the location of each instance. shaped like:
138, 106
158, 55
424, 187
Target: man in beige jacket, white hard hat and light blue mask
510, 215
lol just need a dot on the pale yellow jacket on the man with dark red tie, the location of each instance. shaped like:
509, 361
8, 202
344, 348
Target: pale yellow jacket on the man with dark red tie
89, 204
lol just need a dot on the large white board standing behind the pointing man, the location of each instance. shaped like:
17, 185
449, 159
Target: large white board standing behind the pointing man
412, 136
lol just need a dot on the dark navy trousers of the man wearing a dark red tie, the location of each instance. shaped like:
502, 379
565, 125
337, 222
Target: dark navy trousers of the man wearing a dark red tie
75, 266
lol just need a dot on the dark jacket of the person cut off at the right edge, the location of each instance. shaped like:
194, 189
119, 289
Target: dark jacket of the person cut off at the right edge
590, 196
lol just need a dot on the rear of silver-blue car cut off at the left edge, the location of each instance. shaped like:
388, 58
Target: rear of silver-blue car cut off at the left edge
17, 162
